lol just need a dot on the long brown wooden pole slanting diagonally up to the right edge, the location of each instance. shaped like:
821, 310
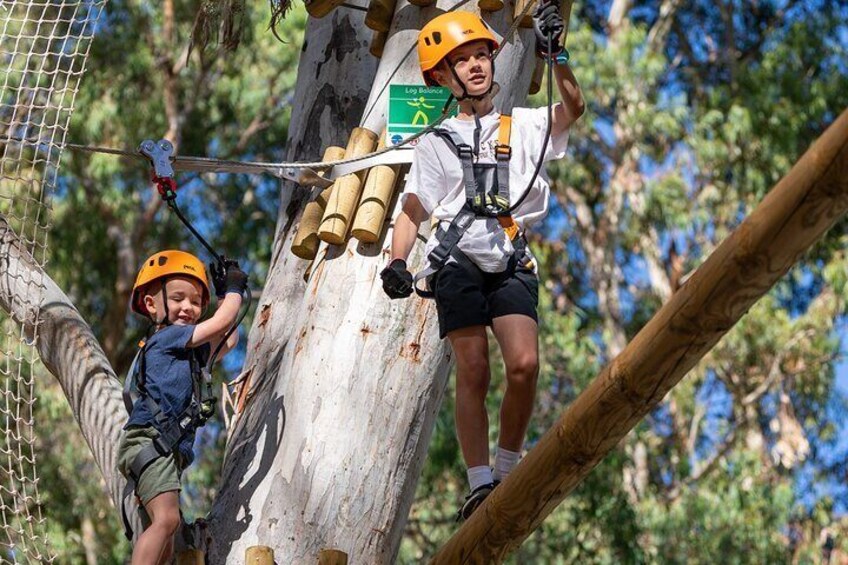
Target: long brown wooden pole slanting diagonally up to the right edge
790, 219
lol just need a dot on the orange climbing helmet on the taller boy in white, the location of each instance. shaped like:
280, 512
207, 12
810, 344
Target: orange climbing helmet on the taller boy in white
445, 33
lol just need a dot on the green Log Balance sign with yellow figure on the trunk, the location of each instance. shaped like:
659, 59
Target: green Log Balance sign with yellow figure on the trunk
413, 107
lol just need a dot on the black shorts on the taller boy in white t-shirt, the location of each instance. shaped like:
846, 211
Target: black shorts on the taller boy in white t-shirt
466, 296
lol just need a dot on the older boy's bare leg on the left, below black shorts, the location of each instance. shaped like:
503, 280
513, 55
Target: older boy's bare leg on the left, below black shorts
471, 347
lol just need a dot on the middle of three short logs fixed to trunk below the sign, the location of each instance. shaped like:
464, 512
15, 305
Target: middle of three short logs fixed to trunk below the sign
345, 196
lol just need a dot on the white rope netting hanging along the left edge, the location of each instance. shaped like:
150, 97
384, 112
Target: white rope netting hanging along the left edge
43, 50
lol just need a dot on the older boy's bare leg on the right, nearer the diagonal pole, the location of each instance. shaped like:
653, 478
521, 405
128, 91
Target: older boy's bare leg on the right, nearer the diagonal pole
518, 337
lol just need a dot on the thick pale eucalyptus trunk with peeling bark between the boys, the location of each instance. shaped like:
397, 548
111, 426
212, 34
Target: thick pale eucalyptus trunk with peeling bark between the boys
346, 384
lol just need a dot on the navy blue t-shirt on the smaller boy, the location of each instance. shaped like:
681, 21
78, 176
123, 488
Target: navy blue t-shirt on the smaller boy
167, 378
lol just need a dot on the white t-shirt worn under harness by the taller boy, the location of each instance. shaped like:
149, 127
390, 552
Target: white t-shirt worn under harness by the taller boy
435, 177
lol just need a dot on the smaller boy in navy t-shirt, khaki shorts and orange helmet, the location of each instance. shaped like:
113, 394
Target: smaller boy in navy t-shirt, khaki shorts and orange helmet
172, 291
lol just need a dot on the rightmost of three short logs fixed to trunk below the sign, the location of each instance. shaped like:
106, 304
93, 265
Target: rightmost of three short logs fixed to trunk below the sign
376, 197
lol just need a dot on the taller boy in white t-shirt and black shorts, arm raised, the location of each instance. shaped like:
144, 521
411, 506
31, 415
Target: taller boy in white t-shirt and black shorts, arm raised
468, 177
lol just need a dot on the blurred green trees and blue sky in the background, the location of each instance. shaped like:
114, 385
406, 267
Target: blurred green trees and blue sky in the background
678, 145
